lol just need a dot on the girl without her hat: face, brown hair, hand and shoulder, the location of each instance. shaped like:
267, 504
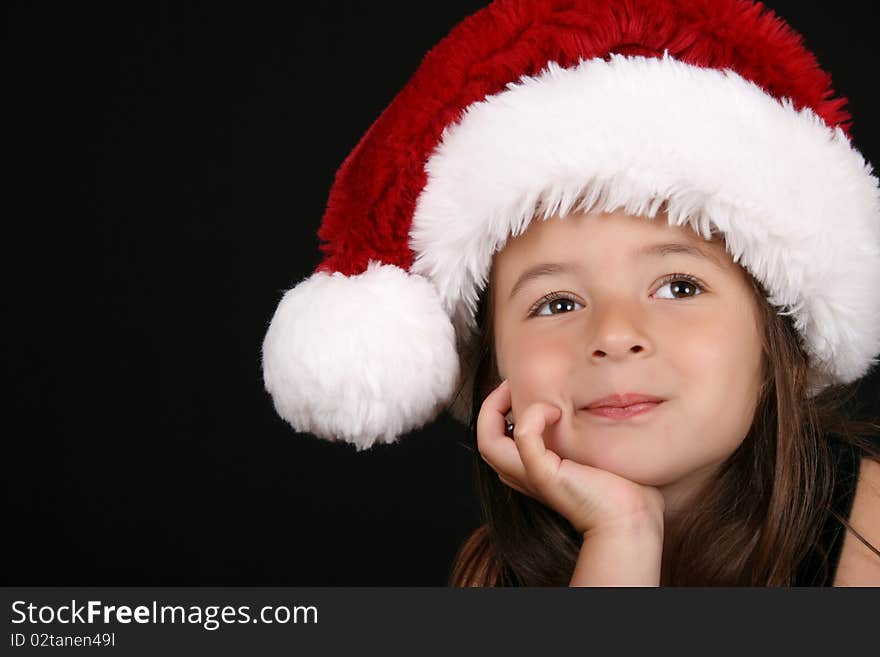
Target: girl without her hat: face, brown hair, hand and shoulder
680, 491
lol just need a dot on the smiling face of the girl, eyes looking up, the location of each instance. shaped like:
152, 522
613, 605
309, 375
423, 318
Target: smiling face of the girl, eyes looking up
616, 327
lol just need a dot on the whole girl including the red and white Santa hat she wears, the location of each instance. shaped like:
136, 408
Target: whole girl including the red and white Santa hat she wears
637, 230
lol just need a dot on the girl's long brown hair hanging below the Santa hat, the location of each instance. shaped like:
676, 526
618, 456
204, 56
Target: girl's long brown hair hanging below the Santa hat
727, 538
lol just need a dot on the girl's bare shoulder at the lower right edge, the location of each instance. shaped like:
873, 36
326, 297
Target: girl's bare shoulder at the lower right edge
859, 563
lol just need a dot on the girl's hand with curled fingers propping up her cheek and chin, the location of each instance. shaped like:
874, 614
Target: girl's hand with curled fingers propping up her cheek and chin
589, 498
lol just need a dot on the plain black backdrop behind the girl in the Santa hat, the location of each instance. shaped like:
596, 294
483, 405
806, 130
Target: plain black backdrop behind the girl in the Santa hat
171, 166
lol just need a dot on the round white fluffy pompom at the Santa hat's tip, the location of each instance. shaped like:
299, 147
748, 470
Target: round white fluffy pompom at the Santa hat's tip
361, 359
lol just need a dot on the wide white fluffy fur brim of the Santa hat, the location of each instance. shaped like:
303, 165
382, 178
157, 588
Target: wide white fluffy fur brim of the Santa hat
797, 204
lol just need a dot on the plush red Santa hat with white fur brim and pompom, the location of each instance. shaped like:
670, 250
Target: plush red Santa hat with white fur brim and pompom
710, 109
